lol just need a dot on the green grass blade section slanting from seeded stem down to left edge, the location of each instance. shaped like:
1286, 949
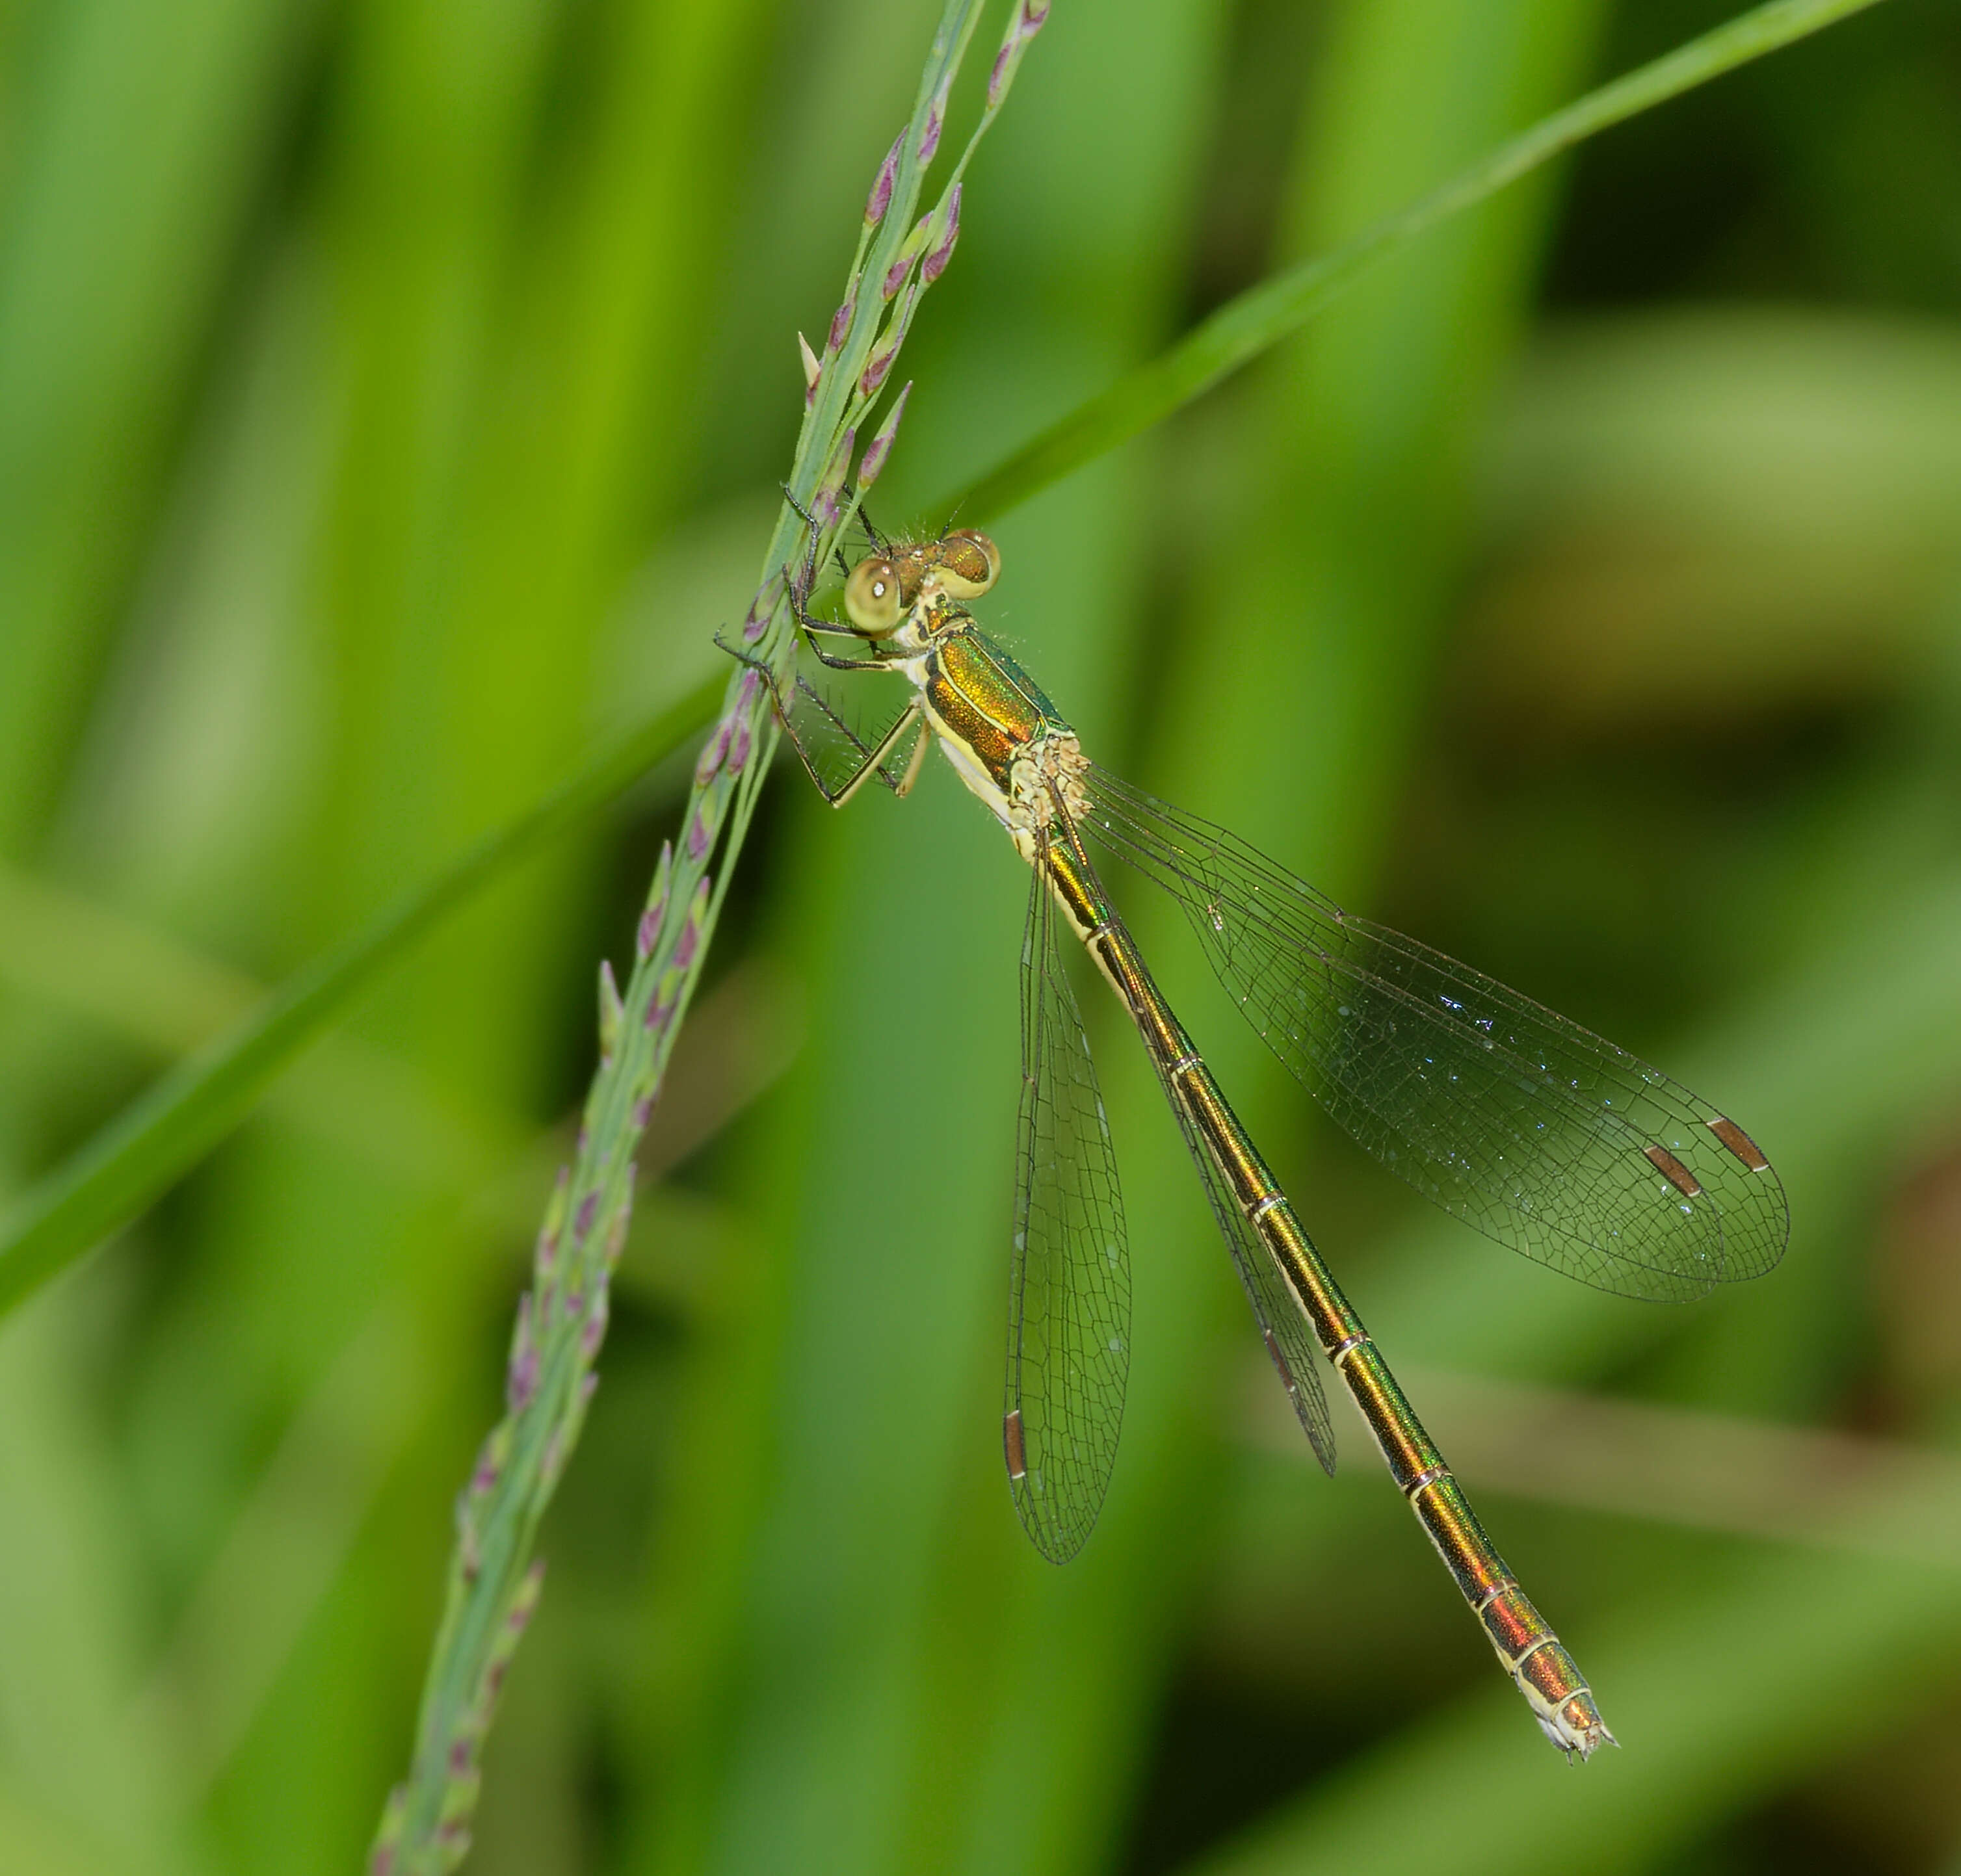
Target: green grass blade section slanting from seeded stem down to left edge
179, 1120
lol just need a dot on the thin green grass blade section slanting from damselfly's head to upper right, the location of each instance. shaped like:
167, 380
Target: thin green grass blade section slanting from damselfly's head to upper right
1266, 315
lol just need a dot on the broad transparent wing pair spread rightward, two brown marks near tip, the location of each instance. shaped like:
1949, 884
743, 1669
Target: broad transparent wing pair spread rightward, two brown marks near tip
1505, 1114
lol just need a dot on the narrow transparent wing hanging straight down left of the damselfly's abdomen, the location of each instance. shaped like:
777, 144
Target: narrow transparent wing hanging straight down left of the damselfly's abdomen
1070, 1291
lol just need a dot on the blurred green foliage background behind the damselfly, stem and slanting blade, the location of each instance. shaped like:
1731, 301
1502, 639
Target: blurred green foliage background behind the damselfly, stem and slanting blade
391, 401
